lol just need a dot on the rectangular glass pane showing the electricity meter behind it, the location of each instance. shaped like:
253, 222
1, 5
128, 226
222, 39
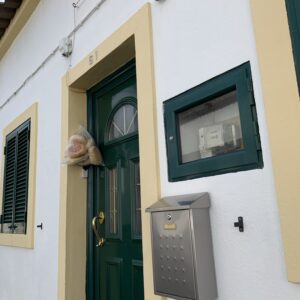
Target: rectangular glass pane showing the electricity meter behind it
211, 128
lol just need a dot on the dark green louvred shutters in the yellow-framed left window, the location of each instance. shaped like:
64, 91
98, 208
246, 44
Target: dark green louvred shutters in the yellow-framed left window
15, 192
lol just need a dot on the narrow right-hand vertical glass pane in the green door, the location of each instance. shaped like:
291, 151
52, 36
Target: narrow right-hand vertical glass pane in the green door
137, 185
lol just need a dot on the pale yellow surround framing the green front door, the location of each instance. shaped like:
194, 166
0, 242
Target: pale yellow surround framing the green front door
132, 39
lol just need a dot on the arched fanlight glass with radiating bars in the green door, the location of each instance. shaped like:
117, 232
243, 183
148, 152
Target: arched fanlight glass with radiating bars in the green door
123, 122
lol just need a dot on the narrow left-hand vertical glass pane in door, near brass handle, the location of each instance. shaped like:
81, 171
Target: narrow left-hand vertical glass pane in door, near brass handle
113, 202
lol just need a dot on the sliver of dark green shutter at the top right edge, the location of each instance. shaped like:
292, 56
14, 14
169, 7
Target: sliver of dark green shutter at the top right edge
293, 11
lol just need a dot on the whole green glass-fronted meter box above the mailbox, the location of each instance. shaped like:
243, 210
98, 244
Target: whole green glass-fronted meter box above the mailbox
212, 128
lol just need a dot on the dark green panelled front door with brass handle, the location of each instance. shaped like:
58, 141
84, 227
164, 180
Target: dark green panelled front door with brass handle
115, 268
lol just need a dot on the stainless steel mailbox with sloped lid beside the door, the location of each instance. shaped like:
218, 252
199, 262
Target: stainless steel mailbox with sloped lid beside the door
183, 263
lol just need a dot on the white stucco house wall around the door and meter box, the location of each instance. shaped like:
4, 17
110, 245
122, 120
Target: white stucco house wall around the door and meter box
193, 42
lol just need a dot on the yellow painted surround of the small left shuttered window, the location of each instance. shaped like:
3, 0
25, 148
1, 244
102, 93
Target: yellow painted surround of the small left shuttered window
25, 240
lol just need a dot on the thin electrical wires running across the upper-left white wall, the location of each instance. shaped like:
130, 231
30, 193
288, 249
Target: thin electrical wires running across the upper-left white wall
71, 35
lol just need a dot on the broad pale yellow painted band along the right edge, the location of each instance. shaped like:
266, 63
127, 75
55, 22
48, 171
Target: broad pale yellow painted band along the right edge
282, 106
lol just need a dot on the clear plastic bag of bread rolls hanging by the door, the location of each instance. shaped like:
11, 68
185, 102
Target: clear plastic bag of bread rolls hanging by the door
82, 150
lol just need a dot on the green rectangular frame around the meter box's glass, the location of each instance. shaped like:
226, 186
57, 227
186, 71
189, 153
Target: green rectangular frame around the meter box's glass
248, 158
